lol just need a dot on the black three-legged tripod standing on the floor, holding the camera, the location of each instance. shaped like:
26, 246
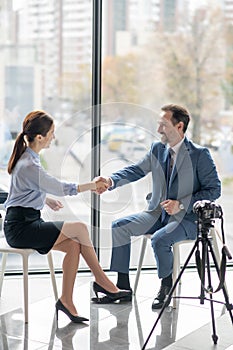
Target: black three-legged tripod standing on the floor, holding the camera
203, 267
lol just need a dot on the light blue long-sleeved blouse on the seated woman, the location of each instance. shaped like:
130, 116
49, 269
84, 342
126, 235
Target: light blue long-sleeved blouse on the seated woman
30, 183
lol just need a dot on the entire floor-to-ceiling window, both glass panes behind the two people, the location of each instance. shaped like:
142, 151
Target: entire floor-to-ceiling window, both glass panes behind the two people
153, 52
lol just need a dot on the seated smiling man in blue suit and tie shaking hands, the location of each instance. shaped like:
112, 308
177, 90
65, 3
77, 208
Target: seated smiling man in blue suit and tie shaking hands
182, 173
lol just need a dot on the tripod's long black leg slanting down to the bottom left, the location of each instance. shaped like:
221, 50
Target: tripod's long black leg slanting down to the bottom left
166, 303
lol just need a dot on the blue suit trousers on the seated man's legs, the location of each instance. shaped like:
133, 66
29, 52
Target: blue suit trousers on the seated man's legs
164, 235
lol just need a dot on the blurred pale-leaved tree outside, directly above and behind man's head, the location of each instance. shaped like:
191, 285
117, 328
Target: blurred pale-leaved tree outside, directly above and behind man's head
190, 72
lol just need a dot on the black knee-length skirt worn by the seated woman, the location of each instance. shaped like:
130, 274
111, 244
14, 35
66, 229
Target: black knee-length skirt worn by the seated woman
24, 228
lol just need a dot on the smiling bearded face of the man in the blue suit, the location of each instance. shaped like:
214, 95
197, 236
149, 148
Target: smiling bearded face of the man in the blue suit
170, 134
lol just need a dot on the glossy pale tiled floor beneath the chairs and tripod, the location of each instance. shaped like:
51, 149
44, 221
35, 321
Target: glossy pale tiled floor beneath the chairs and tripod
116, 327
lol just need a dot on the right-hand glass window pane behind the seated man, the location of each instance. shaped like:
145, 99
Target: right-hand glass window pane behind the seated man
159, 52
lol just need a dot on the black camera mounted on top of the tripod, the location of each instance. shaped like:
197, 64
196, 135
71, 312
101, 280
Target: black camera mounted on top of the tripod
207, 210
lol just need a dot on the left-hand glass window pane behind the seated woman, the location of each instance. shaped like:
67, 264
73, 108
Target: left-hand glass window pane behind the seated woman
45, 63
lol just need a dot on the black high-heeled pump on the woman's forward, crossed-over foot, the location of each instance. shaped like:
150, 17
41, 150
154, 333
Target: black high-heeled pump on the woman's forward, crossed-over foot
122, 295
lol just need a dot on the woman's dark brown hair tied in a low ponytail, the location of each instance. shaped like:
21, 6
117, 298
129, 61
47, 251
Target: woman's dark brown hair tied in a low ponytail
35, 123
